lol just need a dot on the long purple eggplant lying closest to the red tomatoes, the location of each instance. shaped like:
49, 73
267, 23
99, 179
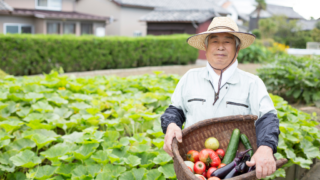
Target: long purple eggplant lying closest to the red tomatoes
224, 171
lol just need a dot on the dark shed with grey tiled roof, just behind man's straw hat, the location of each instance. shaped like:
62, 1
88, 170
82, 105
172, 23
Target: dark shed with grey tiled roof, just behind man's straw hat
183, 16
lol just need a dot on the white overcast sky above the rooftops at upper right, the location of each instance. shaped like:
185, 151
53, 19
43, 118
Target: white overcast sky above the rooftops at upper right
305, 8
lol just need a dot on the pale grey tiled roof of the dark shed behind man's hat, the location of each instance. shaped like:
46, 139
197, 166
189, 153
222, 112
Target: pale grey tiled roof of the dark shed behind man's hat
185, 10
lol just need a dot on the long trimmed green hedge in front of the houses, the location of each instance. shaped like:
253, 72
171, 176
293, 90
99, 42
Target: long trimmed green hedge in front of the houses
36, 54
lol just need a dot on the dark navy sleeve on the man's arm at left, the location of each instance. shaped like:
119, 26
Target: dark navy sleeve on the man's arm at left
172, 115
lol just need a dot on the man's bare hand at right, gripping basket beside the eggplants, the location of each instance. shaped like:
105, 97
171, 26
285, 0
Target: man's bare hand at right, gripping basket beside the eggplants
264, 161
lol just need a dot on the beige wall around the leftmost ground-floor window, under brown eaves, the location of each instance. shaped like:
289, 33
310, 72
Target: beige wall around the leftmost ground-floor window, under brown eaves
15, 20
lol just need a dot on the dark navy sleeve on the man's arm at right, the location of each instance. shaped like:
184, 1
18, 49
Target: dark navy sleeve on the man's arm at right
267, 131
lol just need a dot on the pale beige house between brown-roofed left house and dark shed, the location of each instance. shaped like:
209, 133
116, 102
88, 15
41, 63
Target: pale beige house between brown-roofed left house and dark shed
124, 14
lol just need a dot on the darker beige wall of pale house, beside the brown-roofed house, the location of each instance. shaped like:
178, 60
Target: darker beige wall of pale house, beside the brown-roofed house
102, 8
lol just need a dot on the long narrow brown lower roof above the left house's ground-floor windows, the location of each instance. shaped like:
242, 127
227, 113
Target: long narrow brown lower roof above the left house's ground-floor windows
56, 14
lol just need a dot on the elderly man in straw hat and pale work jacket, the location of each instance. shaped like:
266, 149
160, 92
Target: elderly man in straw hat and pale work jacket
221, 89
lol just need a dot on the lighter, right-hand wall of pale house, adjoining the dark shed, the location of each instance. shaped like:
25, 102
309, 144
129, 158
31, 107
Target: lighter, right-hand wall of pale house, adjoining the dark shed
129, 21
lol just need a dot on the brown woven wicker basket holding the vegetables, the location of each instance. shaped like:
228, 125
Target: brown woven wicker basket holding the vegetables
220, 128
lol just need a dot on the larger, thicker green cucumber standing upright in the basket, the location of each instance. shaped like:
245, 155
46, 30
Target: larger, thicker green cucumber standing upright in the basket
232, 147
